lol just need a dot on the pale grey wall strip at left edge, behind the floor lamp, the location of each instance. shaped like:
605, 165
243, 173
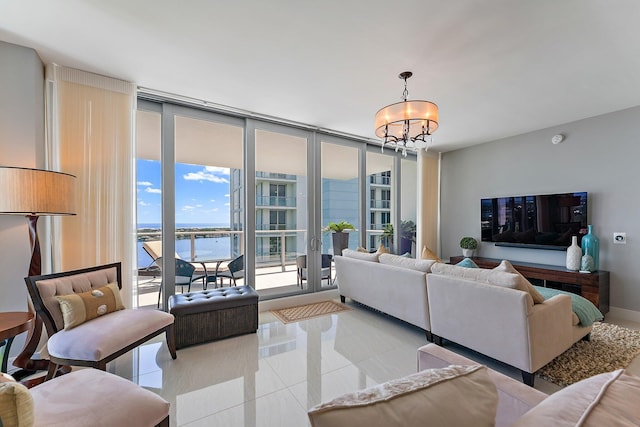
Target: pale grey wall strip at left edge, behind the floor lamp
21, 144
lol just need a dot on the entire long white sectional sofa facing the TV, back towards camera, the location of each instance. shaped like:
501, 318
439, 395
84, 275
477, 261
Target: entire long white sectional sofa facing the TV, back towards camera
489, 311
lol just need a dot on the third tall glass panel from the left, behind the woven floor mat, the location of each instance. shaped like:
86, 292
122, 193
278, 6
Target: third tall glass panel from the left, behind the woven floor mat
281, 210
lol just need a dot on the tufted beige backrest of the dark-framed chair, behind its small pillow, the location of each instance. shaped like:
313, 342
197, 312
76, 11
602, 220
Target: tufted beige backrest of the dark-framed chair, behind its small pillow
49, 289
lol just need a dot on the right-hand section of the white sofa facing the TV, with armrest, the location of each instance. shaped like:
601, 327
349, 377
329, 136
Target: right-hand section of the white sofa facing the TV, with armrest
486, 312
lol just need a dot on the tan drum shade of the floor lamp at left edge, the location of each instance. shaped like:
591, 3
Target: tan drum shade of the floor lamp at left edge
36, 192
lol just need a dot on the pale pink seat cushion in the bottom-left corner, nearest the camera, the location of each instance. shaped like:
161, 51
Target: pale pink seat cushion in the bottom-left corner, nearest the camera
90, 397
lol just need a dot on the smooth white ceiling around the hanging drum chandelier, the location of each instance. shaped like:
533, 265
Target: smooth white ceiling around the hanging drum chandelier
495, 68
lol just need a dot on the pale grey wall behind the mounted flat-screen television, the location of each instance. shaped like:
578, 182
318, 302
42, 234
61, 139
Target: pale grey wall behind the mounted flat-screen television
600, 155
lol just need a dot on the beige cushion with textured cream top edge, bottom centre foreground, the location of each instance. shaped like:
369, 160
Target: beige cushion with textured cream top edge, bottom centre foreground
432, 396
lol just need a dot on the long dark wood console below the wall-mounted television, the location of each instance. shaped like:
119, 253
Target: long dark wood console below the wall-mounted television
593, 286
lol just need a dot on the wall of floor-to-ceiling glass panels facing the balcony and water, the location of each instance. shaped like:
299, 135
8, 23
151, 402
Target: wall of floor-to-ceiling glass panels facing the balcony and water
205, 174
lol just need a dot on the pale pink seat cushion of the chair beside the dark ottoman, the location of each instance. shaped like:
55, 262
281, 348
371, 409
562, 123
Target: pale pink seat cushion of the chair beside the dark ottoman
107, 334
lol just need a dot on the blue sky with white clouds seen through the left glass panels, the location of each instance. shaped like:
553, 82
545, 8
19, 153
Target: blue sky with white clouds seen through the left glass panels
202, 193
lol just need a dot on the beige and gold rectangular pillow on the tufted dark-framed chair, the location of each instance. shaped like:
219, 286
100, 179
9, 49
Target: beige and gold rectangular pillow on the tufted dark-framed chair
79, 308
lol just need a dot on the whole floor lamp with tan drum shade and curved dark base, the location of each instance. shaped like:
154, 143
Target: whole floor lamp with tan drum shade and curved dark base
35, 193
